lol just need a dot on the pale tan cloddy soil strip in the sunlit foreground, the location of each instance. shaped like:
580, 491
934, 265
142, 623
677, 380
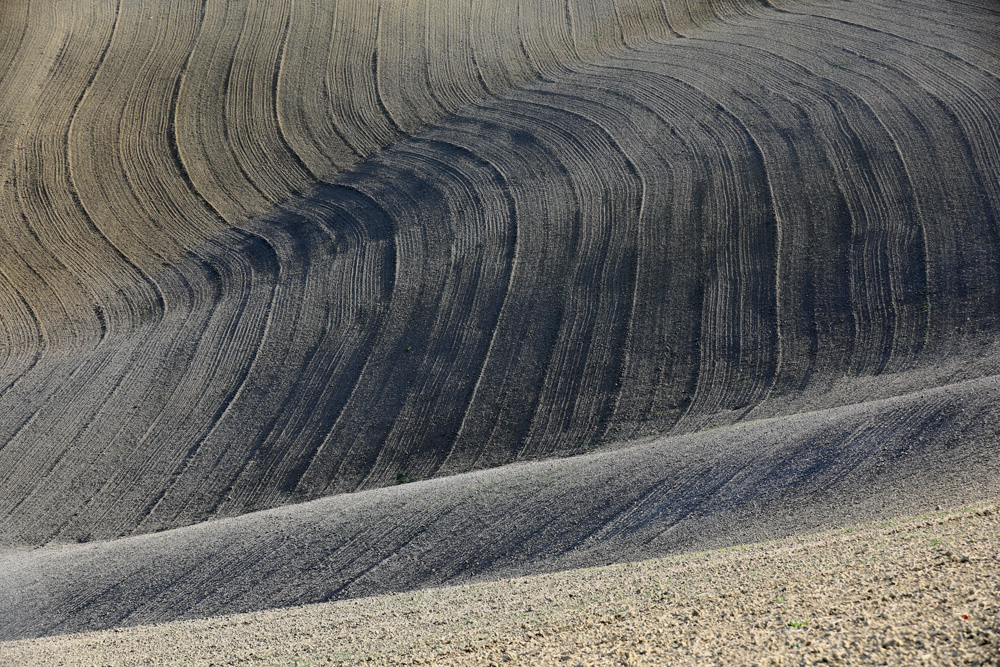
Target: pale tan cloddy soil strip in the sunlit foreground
921, 590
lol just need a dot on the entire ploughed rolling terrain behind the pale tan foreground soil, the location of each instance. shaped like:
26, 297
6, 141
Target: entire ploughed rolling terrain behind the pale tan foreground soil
260, 253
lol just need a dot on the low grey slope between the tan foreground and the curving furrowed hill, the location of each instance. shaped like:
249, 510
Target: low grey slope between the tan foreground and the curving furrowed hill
739, 484
